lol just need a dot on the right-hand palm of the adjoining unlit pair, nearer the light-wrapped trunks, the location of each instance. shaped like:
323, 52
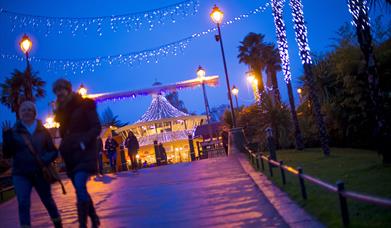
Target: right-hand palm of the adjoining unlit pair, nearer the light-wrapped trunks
272, 66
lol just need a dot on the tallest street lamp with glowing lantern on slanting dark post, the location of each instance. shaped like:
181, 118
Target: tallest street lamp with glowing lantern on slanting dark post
217, 17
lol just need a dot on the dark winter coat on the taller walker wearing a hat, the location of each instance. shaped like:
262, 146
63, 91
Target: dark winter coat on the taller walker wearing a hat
79, 129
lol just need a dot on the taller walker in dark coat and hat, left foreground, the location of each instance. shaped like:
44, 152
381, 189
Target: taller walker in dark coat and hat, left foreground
79, 129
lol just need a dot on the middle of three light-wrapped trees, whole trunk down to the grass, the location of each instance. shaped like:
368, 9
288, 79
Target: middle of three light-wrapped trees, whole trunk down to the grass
304, 52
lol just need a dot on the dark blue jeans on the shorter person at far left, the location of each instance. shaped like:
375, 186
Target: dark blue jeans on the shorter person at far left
23, 186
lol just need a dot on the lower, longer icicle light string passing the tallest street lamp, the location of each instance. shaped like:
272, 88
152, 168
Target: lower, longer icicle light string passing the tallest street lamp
84, 65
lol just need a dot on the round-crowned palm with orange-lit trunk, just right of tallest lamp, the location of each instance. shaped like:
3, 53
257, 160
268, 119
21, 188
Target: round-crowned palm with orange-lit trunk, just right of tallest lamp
251, 53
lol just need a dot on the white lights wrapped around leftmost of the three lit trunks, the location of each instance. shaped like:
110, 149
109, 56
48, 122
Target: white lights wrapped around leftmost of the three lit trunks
277, 8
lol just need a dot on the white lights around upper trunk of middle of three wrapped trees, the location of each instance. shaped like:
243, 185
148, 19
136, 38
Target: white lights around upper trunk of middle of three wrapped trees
300, 31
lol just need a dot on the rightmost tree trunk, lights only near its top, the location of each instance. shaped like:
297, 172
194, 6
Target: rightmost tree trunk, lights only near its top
359, 10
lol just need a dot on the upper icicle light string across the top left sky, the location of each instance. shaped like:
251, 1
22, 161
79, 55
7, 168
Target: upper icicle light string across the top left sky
128, 22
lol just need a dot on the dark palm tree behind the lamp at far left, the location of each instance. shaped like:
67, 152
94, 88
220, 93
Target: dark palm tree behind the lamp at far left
15, 89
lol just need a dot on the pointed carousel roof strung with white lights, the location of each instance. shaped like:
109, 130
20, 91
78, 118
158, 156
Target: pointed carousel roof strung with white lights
160, 108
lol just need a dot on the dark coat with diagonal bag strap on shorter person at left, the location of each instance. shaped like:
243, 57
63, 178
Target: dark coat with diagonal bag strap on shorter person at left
14, 146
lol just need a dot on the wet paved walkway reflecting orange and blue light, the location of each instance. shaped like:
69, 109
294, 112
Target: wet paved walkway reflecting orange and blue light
214, 192
